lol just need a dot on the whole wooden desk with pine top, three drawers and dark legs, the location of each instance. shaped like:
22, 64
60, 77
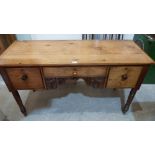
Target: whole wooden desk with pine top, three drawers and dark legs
34, 65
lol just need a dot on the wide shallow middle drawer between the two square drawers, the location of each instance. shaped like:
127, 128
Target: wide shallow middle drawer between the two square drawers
74, 71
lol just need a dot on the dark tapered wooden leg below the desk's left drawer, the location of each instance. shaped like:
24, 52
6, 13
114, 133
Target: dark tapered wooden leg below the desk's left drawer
19, 102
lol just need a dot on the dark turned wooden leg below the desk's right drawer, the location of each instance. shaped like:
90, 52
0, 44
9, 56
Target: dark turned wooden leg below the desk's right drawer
125, 108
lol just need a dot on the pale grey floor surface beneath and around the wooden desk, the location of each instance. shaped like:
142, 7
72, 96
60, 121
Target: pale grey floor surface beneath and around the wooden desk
78, 102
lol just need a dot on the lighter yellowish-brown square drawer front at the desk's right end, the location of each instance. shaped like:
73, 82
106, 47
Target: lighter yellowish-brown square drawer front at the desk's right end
123, 77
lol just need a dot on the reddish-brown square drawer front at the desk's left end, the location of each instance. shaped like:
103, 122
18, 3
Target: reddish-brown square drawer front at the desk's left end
25, 78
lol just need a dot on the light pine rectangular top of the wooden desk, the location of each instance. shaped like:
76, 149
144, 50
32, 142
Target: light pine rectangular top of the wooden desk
84, 52
